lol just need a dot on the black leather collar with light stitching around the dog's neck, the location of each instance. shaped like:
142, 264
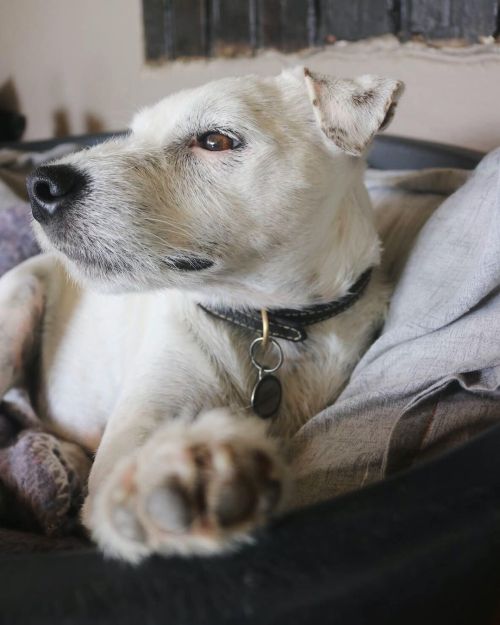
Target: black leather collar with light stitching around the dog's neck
287, 323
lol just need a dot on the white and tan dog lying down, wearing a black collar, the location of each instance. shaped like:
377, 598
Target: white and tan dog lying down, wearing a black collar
226, 236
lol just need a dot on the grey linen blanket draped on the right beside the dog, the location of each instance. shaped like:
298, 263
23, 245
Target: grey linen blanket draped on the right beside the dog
431, 380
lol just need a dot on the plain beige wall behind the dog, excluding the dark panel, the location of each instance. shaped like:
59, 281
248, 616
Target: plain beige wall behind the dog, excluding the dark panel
77, 65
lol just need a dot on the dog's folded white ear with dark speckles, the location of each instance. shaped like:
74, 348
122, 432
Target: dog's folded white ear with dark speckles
350, 112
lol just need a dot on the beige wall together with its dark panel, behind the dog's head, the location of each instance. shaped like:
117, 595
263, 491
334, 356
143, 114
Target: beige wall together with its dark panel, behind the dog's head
72, 66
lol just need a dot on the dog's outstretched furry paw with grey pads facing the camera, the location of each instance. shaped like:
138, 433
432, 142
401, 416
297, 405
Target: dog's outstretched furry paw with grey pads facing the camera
194, 488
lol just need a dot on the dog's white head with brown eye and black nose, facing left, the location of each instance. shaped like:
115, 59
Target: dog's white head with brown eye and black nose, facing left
212, 188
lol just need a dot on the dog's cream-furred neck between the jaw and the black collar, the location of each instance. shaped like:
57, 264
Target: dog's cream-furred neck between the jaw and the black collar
341, 243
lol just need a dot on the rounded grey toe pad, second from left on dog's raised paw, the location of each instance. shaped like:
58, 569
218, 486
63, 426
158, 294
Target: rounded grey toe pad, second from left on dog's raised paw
169, 508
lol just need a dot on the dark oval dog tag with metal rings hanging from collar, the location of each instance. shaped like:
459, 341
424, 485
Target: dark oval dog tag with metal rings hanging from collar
267, 392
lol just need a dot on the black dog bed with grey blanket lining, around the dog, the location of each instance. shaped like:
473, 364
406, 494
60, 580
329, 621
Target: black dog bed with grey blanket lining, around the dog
423, 545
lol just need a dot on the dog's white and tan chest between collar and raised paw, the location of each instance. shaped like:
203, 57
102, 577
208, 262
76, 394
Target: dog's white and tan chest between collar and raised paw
99, 349
